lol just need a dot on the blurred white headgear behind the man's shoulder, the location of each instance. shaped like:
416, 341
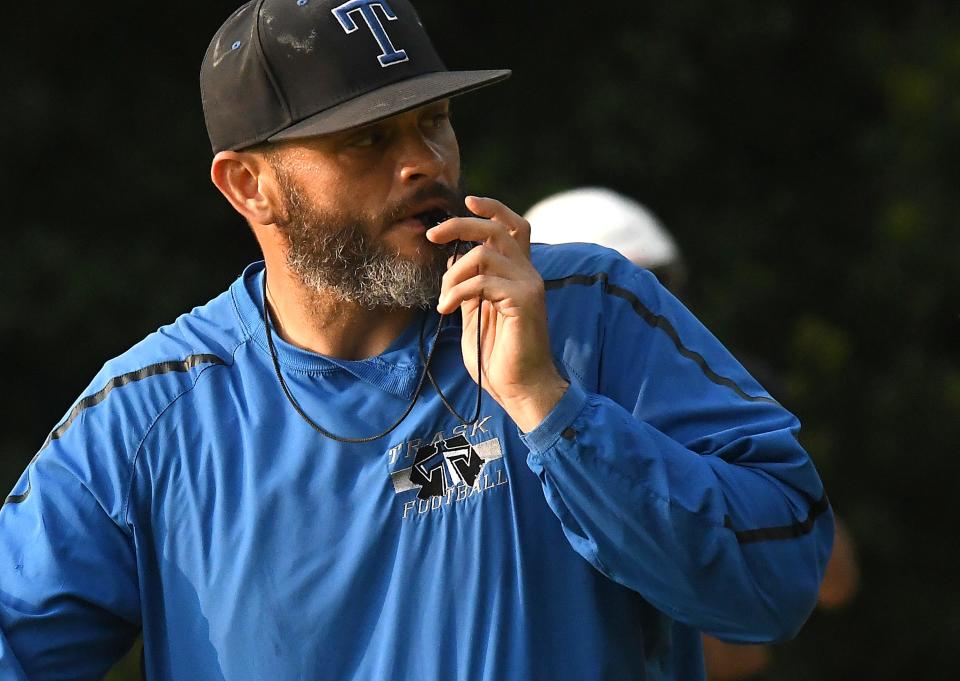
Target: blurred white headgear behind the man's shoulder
602, 216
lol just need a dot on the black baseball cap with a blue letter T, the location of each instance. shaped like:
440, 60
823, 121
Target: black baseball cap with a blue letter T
283, 69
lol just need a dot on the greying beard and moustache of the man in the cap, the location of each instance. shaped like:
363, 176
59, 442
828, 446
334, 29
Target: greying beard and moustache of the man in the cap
336, 254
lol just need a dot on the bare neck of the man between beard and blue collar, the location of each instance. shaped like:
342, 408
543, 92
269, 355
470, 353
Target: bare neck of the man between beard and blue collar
328, 325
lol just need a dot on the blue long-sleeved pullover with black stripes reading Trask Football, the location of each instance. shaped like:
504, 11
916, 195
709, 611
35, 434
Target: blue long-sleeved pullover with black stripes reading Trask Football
182, 496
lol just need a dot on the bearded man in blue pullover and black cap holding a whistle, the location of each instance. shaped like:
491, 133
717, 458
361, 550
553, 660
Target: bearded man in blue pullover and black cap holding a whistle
270, 488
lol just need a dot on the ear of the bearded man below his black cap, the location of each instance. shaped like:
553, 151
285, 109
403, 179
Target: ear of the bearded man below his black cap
248, 183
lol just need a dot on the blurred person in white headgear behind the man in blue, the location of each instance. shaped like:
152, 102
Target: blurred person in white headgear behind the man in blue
605, 217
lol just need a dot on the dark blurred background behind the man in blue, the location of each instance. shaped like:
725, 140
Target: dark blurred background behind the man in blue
802, 152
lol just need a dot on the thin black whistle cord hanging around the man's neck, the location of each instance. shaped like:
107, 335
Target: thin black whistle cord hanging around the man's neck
268, 322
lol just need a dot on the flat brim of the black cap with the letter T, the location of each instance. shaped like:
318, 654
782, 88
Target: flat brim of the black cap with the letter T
390, 100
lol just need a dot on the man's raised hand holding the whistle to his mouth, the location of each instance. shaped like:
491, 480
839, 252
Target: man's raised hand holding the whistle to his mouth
518, 369
